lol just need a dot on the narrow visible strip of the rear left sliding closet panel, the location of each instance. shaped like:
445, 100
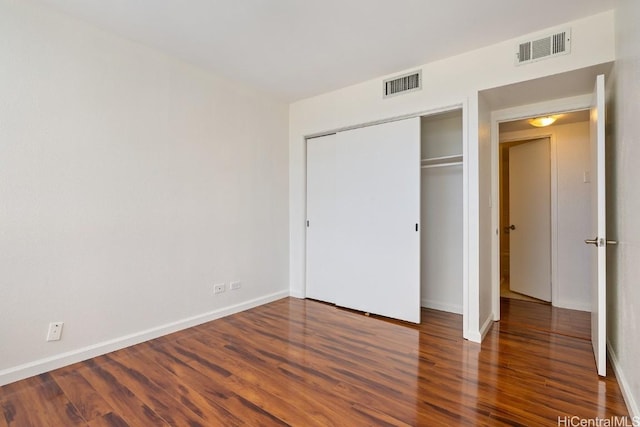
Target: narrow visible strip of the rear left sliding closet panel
321, 218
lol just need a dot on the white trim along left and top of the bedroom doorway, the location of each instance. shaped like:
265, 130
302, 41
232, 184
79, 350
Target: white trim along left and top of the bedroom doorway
576, 103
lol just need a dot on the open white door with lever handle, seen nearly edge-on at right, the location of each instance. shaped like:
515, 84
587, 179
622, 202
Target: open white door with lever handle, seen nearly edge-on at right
598, 229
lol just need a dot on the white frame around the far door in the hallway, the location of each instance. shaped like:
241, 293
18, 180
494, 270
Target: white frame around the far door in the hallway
553, 203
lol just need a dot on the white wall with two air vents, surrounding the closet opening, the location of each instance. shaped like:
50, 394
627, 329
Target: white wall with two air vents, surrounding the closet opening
453, 81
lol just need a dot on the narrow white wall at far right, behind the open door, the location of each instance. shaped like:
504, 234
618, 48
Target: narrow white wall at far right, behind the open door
623, 293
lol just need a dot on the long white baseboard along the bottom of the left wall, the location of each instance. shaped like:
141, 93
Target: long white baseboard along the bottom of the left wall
58, 361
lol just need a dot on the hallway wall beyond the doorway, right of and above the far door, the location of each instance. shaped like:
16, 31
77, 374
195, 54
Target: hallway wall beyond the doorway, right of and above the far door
571, 143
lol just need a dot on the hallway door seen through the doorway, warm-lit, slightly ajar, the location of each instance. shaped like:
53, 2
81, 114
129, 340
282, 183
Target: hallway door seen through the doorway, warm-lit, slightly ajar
530, 219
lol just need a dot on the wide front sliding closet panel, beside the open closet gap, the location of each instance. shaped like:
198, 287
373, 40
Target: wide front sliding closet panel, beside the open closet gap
378, 205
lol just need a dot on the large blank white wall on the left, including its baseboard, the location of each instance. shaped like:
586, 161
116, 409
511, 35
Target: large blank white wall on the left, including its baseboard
130, 183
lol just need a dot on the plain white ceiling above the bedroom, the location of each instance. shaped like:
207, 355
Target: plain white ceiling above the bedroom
298, 48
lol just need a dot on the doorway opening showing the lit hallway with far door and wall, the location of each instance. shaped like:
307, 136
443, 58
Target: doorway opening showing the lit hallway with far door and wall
544, 210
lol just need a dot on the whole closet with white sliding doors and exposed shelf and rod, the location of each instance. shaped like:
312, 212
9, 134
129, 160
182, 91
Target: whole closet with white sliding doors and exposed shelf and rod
384, 217
